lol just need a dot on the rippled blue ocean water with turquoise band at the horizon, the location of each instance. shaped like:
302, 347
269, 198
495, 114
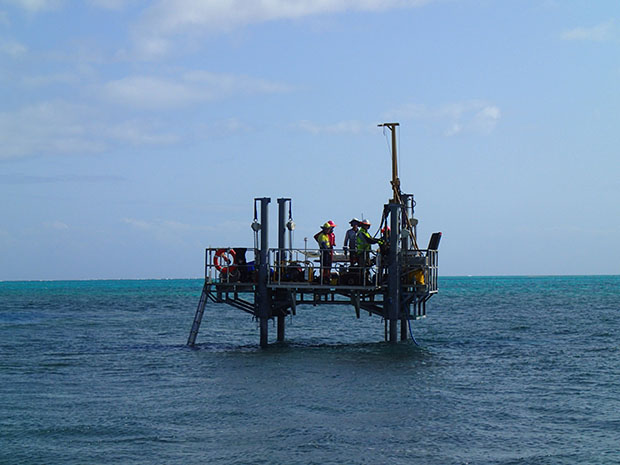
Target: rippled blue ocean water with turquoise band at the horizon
508, 370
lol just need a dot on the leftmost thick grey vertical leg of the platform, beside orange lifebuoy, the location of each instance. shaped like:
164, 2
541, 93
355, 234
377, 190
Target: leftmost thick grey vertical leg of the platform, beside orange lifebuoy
263, 273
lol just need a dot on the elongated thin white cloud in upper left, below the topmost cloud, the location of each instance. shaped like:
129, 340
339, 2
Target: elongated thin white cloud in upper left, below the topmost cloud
191, 88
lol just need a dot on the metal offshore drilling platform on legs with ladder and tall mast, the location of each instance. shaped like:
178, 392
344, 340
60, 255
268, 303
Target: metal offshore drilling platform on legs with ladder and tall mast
393, 282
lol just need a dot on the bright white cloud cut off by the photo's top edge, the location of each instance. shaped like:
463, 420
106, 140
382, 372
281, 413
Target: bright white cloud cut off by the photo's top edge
168, 18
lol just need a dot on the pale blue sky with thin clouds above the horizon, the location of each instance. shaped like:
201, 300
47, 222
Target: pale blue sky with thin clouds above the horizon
135, 134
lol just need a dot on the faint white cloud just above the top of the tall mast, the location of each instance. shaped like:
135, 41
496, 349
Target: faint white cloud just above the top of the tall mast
454, 118
